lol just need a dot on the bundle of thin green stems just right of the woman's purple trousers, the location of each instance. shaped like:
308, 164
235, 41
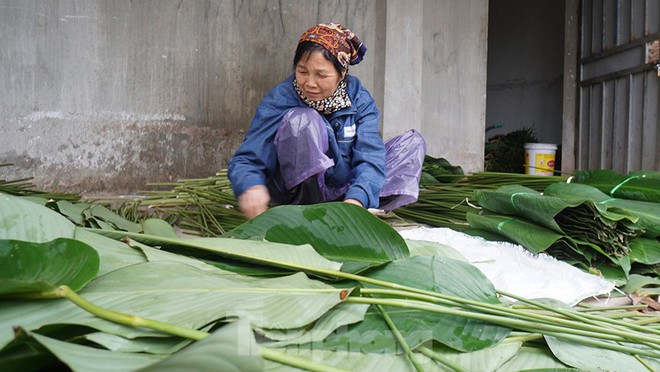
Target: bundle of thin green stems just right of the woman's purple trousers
446, 204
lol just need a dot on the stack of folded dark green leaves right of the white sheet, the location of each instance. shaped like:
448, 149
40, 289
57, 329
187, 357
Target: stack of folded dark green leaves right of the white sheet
573, 222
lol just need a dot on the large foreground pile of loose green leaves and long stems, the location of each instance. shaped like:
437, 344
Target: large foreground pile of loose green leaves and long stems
325, 287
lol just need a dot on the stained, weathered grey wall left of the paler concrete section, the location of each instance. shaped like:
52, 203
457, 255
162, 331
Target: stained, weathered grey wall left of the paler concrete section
108, 95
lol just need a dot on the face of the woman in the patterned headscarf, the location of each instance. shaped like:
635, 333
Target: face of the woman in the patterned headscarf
317, 77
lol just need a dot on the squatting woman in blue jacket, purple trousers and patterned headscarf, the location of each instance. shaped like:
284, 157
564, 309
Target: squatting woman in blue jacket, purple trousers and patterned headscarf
314, 137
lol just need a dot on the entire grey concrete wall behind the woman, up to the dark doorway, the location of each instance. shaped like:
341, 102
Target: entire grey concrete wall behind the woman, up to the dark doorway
104, 96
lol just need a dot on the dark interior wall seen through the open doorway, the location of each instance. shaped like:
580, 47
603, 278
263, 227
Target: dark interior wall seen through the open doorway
526, 66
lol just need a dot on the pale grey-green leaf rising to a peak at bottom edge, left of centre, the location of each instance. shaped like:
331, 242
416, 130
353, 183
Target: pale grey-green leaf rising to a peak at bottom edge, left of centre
231, 348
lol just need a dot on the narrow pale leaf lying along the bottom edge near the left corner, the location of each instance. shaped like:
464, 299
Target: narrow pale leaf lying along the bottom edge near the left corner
84, 358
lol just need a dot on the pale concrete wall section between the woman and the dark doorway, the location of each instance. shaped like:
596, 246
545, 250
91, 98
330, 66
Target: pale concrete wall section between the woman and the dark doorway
435, 76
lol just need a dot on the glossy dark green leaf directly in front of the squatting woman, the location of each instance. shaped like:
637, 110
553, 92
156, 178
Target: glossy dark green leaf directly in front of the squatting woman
338, 231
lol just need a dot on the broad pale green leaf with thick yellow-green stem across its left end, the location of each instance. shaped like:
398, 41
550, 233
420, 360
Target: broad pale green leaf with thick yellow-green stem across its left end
183, 295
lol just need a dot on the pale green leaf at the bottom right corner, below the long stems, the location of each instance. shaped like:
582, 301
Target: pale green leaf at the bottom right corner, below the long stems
587, 357
